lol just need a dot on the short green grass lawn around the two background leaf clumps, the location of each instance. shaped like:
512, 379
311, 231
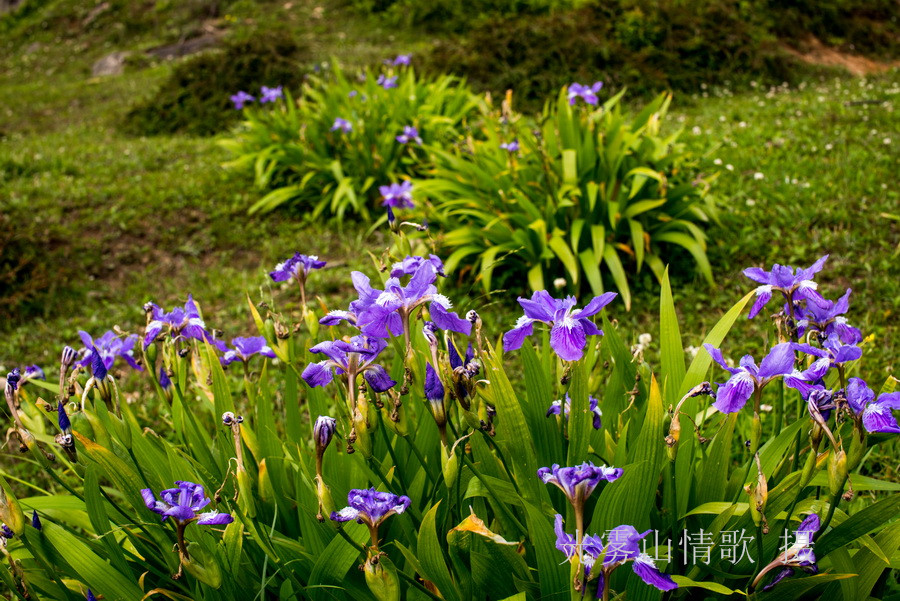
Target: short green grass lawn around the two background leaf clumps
132, 219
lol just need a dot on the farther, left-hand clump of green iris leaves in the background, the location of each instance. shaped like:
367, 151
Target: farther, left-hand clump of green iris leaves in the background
331, 149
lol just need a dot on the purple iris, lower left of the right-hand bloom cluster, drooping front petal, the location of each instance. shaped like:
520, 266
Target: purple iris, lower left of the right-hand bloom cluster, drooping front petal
747, 378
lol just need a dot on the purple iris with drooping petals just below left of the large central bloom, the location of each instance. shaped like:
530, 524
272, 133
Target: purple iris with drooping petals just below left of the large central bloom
351, 357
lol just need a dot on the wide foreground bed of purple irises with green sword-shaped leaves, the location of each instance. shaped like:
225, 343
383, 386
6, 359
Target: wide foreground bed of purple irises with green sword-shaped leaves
450, 466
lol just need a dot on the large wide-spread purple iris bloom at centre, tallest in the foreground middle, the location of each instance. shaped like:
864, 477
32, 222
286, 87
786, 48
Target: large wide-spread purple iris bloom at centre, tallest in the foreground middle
379, 318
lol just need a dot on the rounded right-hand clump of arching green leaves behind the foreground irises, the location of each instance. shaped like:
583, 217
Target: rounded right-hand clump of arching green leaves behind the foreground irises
583, 193
